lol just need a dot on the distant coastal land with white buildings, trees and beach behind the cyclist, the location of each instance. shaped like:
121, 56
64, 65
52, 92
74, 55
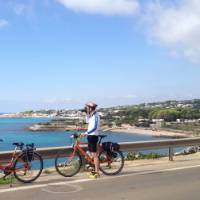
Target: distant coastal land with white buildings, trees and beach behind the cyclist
169, 118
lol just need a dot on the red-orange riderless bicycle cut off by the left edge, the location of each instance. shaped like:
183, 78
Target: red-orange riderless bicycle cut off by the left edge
25, 164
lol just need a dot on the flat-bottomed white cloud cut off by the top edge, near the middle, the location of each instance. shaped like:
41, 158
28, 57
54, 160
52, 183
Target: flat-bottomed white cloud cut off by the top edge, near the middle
104, 7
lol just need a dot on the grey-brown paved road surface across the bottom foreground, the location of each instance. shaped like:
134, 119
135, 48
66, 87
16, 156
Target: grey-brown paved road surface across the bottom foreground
173, 183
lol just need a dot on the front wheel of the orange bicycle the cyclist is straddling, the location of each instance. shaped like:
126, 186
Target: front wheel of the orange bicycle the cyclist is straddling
68, 164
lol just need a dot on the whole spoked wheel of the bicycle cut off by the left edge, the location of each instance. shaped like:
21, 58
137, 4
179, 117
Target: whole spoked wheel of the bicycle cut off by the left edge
27, 170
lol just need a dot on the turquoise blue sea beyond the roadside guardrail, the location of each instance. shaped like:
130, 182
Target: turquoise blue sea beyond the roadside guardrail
16, 130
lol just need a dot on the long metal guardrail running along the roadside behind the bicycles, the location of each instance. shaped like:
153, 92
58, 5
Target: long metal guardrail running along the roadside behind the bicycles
48, 153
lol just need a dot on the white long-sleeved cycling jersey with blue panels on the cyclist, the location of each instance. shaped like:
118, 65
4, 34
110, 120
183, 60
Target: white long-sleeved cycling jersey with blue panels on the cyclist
93, 124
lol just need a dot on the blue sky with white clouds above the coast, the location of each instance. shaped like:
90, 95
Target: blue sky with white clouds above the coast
60, 54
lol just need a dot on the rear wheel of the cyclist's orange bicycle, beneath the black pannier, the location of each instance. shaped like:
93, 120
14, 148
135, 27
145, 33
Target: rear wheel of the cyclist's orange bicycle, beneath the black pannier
111, 164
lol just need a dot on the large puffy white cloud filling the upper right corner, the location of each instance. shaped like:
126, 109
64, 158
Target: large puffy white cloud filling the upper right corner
175, 25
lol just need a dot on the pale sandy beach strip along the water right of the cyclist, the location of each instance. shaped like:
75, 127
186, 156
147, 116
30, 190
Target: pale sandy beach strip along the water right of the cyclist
154, 133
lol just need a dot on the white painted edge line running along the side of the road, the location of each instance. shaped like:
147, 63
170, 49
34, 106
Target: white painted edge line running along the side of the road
86, 180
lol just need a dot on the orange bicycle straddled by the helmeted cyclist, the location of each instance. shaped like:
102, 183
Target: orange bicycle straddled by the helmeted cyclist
69, 164
